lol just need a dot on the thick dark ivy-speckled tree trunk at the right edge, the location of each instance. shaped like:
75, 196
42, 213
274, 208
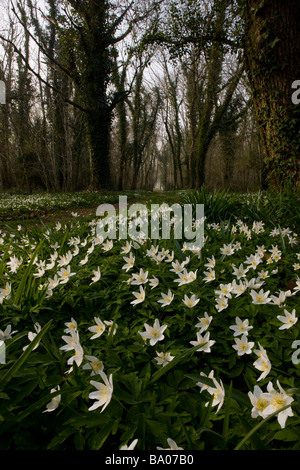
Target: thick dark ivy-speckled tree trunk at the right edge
272, 49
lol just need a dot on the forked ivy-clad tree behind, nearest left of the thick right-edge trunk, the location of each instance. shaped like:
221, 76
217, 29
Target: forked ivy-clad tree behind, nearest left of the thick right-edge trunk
202, 35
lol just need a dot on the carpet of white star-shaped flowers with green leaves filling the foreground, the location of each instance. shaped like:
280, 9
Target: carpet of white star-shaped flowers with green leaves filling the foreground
123, 311
